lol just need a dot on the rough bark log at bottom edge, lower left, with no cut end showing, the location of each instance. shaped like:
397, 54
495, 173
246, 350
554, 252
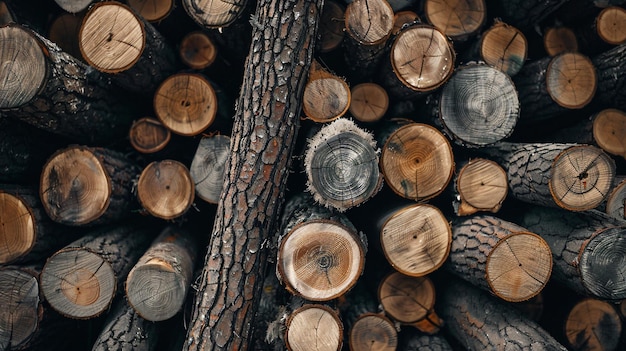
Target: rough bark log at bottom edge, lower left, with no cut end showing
124, 329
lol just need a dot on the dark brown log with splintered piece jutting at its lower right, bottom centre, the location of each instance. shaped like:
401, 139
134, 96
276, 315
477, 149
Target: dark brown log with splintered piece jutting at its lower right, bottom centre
410, 301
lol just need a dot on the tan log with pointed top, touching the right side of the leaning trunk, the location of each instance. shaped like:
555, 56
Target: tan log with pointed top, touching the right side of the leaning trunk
326, 96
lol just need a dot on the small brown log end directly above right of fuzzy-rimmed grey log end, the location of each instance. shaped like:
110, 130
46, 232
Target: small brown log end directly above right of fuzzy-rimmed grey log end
369, 102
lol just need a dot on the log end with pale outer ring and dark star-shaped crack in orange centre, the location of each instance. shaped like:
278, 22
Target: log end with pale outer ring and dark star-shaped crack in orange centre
320, 260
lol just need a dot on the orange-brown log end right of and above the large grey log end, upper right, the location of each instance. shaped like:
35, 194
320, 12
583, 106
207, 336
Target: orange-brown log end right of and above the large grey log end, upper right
571, 80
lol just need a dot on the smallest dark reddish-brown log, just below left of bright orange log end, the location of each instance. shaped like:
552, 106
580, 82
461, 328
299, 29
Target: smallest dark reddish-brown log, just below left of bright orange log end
148, 135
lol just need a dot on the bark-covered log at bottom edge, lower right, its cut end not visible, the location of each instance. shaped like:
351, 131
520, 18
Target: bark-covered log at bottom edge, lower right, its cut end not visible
482, 322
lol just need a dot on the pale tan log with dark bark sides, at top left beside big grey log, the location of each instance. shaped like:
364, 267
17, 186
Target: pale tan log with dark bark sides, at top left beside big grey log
136, 56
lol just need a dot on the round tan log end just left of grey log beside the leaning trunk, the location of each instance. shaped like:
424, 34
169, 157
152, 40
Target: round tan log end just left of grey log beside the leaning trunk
165, 189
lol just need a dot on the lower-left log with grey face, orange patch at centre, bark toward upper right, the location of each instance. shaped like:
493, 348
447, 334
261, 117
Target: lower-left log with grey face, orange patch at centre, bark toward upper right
81, 280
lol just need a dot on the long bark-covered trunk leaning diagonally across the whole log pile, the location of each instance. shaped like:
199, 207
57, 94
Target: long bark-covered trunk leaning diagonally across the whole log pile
265, 127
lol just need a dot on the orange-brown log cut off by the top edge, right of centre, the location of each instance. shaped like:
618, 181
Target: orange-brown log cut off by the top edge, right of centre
457, 19
